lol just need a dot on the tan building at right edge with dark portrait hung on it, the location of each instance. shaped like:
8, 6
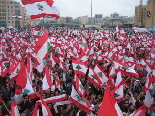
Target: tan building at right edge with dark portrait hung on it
150, 13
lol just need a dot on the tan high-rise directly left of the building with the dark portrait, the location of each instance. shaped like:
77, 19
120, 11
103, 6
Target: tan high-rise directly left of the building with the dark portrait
140, 15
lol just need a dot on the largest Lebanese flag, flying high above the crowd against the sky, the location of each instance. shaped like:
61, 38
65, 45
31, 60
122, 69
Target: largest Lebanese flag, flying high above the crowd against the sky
41, 8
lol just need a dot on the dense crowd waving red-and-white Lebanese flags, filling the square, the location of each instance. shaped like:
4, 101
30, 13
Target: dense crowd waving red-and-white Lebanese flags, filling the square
112, 53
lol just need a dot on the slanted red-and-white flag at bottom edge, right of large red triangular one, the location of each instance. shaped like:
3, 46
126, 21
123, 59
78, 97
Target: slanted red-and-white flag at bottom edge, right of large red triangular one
139, 112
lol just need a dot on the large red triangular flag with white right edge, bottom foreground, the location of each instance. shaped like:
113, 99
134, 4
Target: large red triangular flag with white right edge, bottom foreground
109, 106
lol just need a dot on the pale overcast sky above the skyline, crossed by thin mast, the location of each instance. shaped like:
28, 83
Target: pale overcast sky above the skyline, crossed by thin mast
75, 8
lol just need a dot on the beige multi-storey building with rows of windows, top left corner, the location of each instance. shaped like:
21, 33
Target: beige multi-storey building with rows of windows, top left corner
7, 9
